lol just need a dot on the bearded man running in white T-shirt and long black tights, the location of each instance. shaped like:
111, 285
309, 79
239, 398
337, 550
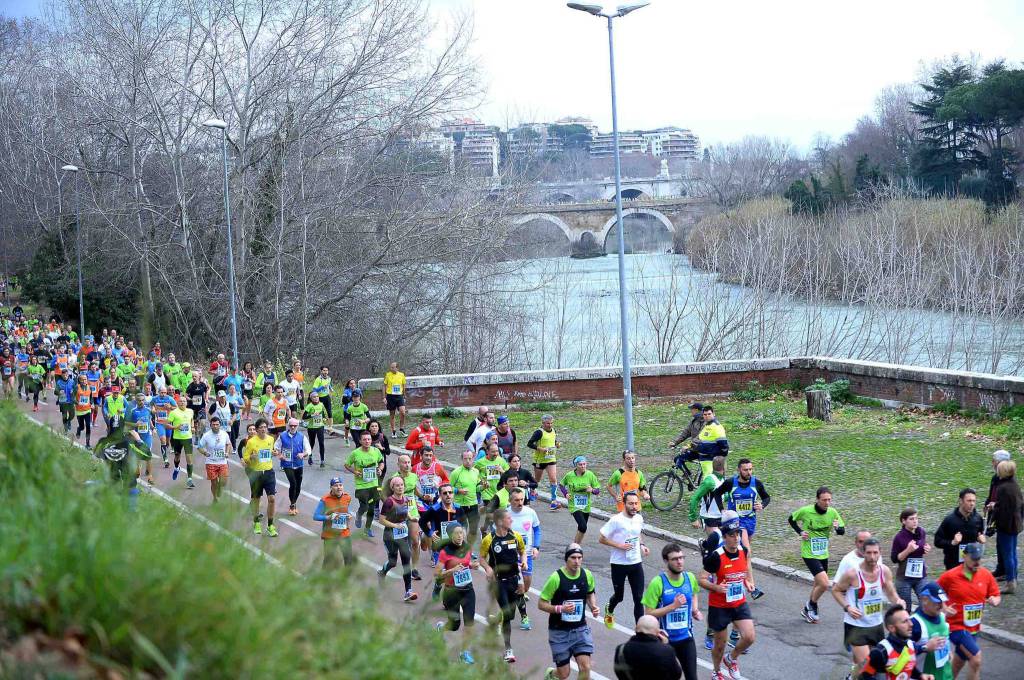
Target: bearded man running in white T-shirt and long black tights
623, 535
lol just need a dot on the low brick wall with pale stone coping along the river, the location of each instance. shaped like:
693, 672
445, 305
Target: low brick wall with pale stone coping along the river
891, 384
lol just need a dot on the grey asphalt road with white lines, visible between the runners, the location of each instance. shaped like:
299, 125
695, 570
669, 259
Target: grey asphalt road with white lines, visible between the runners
785, 642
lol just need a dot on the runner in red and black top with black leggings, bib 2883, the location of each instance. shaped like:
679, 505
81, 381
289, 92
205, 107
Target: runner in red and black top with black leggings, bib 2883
455, 575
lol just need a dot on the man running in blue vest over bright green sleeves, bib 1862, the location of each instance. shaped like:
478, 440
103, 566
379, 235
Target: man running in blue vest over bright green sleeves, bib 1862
672, 599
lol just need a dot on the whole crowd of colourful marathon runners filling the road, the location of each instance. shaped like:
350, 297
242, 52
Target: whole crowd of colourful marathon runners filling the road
478, 524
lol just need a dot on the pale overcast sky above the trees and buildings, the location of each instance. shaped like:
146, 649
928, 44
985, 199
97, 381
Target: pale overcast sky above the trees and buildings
722, 68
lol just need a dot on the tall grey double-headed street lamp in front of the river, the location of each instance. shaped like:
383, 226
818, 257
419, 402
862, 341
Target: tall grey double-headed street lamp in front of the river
622, 11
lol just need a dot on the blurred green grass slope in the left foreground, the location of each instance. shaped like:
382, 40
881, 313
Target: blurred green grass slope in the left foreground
156, 592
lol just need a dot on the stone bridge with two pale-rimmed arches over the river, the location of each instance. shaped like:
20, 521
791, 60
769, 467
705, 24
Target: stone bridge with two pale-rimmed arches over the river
587, 226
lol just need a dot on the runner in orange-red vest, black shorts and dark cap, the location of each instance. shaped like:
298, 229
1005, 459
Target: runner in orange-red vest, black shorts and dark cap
728, 576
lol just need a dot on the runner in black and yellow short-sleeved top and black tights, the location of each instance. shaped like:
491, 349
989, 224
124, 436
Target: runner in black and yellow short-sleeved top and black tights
504, 556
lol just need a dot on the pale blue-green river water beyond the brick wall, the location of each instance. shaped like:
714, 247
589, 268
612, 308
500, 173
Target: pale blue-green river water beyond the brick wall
570, 312
